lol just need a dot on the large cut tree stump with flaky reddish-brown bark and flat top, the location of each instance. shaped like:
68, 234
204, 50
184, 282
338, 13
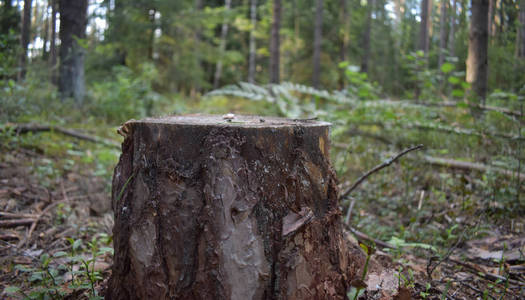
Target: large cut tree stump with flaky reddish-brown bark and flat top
210, 208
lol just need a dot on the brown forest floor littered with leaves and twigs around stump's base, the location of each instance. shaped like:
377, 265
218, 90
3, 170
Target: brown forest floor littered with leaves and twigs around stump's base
55, 239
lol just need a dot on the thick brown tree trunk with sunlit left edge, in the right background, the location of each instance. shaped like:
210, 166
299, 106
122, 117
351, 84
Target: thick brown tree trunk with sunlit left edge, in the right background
477, 61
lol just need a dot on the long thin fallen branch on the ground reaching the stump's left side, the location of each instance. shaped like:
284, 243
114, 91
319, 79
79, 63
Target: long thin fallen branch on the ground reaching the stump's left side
25, 128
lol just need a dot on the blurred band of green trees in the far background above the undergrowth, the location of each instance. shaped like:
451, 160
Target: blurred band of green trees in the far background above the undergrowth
194, 46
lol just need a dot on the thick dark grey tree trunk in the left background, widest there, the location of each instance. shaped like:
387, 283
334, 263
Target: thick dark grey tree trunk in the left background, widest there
73, 21
